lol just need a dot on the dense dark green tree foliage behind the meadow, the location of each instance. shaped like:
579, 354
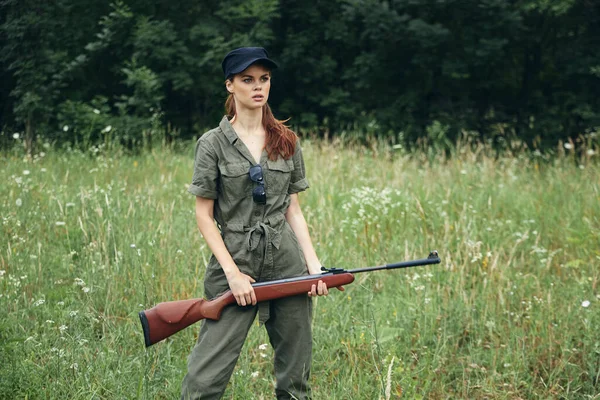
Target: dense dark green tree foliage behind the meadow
88, 70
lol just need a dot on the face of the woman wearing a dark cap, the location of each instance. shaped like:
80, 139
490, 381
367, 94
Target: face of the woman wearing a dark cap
250, 88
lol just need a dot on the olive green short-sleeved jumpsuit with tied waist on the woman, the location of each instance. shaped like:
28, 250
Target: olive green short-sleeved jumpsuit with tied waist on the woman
264, 247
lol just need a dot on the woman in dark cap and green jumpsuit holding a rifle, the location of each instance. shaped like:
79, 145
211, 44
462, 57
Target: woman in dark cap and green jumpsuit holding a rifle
247, 175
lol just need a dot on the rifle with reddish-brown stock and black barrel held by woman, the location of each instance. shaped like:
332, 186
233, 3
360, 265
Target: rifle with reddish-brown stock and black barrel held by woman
166, 319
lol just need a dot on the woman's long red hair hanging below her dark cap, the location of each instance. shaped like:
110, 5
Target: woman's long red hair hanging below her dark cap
280, 140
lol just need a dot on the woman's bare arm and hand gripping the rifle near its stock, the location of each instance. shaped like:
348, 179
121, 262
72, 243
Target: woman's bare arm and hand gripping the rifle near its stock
239, 283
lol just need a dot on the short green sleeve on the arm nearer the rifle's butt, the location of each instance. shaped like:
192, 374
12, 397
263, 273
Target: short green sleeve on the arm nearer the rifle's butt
206, 172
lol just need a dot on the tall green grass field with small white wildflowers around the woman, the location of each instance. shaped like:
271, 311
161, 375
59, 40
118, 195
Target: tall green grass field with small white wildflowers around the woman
513, 312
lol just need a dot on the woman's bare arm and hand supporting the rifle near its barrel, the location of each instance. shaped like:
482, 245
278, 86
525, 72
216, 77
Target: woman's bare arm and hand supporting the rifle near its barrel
298, 224
